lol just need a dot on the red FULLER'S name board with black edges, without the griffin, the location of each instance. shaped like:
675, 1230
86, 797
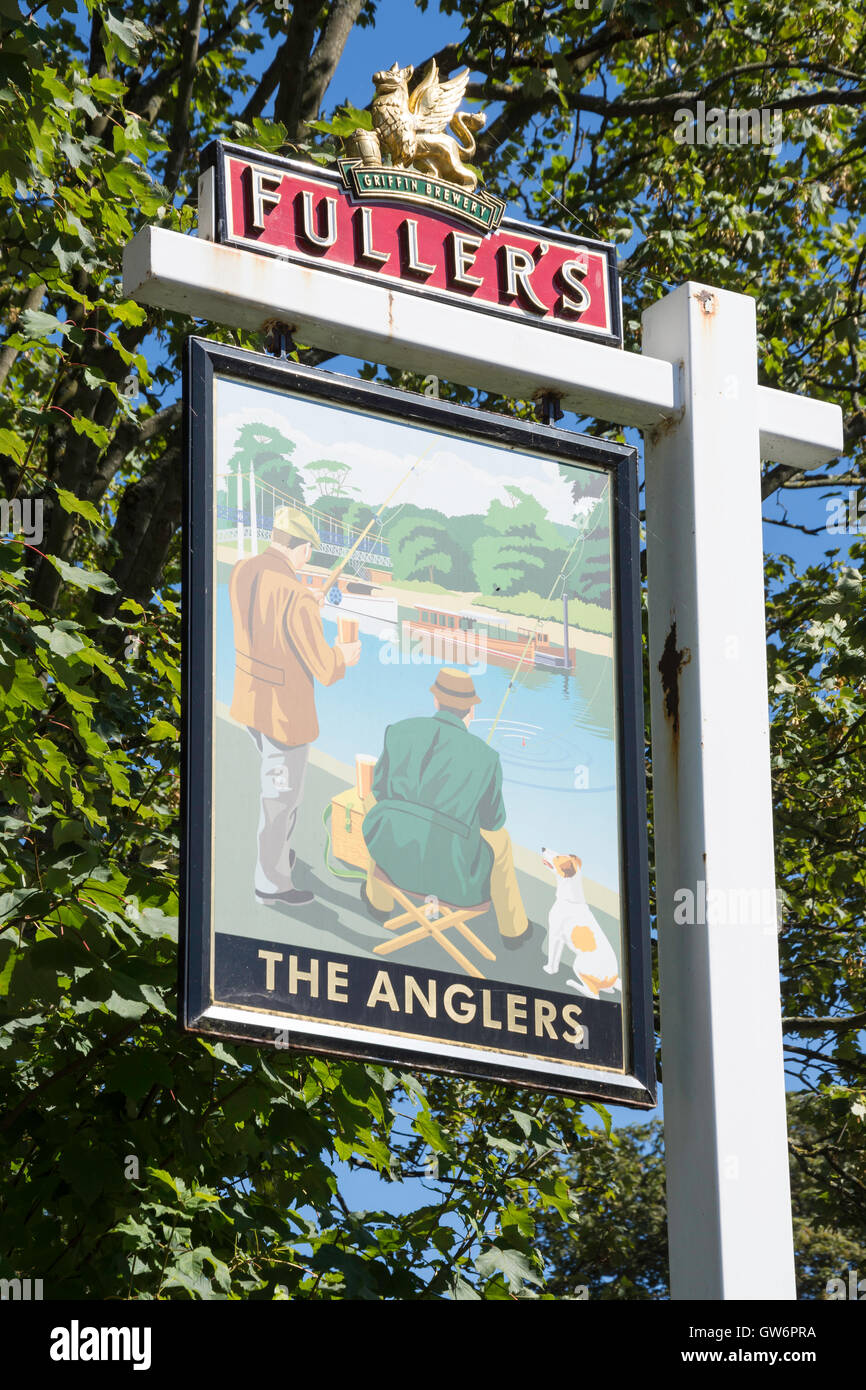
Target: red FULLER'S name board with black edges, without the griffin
416, 231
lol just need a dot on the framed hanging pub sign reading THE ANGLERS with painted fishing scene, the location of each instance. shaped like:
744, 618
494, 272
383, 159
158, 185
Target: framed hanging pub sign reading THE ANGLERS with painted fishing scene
414, 733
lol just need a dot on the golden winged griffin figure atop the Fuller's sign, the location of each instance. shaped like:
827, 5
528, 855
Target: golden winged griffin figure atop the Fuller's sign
411, 126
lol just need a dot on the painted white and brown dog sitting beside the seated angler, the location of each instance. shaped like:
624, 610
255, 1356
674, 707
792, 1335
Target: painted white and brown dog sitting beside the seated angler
572, 924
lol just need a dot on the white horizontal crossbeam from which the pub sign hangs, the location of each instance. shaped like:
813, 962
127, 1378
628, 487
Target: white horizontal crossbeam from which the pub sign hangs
379, 320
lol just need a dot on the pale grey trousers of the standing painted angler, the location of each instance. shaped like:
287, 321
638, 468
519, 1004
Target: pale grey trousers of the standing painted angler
281, 789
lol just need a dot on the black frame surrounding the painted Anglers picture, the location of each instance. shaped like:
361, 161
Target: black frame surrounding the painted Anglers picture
204, 362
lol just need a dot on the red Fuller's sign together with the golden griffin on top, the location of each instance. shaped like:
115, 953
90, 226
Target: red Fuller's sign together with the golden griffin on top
404, 208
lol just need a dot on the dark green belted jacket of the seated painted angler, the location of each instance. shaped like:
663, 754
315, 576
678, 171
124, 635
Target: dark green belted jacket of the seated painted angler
436, 787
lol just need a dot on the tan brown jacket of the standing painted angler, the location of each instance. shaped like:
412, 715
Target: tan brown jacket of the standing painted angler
280, 650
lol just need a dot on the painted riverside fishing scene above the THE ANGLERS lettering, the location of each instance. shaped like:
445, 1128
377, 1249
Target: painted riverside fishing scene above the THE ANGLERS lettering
469, 590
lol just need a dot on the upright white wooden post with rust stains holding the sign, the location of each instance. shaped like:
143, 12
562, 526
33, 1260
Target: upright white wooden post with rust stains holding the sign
724, 1081
